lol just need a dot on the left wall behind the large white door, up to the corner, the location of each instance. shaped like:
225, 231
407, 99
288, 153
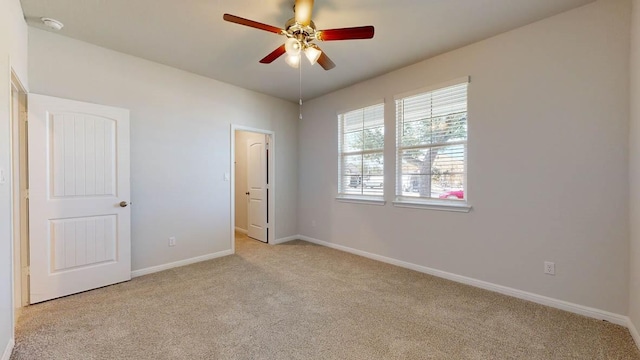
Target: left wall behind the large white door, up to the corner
180, 142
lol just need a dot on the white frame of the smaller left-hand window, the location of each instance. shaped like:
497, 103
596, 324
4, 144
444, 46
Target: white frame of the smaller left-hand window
373, 199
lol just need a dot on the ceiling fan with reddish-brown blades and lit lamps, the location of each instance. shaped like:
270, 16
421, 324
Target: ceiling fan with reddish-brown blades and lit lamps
301, 33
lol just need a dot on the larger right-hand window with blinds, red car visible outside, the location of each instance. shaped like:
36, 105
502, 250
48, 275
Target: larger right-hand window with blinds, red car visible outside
431, 145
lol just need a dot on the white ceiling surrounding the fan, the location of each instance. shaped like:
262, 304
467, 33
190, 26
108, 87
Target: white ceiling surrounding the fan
191, 35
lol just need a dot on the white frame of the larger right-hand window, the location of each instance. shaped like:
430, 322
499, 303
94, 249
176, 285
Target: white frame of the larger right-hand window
430, 203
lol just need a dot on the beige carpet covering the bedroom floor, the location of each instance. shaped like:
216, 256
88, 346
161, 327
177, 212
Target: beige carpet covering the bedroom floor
302, 301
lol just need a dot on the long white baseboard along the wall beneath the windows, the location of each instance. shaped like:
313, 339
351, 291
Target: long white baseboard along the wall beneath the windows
539, 299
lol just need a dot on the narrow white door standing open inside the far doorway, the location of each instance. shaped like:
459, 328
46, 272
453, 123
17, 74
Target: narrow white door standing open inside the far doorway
257, 178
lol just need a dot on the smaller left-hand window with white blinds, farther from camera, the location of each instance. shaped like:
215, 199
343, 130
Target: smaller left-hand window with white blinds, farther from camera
361, 153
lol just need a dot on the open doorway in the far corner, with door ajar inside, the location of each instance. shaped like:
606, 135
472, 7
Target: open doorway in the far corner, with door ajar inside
252, 184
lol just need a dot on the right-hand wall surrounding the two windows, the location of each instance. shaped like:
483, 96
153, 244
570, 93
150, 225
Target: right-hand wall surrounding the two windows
547, 173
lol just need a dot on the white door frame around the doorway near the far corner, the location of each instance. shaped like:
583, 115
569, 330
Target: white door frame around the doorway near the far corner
271, 163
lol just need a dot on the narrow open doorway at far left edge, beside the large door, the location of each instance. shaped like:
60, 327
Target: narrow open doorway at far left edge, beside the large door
20, 200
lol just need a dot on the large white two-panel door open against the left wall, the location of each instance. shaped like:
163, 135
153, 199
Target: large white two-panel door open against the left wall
79, 221
